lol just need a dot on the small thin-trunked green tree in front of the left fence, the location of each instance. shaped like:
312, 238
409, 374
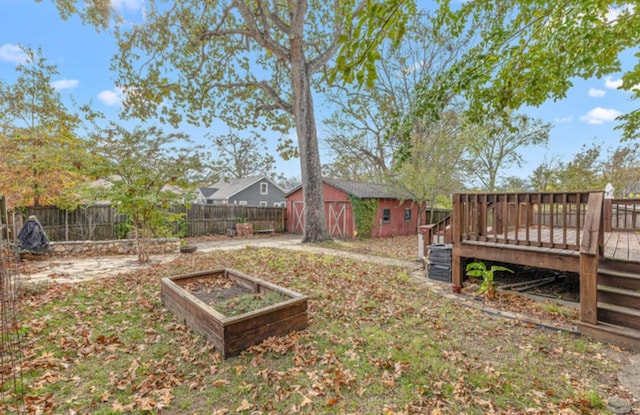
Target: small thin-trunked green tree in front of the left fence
144, 175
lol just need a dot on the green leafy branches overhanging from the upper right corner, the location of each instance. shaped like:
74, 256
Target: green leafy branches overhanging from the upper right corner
528, 52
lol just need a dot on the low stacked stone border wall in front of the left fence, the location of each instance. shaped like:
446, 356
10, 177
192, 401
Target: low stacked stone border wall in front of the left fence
112, 247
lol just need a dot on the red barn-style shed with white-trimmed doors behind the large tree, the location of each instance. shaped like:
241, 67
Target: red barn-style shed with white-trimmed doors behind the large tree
397, 213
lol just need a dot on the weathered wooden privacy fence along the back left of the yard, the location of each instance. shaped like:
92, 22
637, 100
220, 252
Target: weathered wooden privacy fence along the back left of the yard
102, 222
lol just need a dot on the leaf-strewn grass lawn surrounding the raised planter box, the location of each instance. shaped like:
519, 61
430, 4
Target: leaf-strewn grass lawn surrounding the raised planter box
379, 342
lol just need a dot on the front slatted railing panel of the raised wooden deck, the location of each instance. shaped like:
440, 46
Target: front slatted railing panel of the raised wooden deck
553, 220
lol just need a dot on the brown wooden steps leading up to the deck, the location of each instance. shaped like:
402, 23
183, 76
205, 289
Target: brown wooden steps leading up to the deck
618, 309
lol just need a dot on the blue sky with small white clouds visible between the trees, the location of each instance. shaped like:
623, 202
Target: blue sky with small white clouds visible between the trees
82, 56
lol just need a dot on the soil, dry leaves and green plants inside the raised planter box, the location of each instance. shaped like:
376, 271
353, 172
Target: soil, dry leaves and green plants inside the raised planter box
229, 297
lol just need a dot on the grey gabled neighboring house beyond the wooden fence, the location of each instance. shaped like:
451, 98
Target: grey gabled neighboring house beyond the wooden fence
249, 191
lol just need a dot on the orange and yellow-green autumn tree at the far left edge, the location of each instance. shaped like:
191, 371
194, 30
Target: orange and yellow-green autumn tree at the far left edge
41, 156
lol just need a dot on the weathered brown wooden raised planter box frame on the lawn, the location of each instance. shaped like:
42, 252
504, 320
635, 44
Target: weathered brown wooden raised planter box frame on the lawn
231, 335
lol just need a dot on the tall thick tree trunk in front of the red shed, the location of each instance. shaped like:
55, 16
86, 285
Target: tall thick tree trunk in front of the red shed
315, 224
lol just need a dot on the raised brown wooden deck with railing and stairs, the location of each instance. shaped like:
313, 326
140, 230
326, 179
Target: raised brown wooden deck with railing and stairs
579, 232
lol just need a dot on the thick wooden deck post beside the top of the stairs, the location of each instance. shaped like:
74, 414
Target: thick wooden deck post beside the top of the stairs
590, 251
